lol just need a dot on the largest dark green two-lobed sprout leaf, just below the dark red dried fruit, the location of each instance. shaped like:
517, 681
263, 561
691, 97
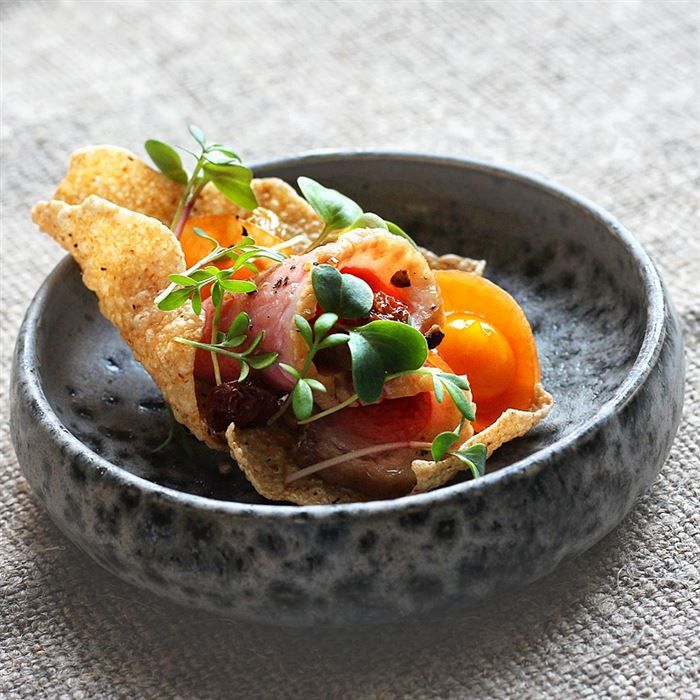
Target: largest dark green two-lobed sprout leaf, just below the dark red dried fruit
373, 348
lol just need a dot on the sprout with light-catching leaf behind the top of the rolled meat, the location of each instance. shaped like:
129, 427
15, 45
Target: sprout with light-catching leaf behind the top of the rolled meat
340, 213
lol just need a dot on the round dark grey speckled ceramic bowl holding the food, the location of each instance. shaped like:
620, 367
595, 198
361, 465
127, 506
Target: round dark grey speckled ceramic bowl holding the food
86, 418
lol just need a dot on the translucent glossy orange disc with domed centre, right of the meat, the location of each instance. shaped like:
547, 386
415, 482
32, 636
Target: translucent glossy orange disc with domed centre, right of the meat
488, 338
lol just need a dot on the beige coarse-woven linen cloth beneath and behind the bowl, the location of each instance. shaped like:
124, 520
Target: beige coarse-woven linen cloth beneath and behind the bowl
601, 97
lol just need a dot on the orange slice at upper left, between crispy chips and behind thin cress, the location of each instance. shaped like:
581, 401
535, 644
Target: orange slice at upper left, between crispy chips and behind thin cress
228, 230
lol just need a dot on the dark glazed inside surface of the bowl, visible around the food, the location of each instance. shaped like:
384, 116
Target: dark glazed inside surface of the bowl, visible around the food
578, 283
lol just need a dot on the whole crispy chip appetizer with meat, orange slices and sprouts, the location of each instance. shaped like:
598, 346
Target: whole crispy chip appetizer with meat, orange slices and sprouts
335, 359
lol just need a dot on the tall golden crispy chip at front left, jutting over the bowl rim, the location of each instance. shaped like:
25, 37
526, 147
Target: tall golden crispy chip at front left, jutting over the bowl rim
126, 258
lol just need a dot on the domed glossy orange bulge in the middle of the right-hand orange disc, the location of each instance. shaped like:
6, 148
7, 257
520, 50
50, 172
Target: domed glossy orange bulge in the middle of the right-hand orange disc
474, 347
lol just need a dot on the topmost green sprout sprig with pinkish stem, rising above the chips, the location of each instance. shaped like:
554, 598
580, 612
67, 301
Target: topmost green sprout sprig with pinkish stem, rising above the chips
215, 163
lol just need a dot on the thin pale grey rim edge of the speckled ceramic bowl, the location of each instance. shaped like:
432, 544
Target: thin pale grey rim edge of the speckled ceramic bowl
524, 468
